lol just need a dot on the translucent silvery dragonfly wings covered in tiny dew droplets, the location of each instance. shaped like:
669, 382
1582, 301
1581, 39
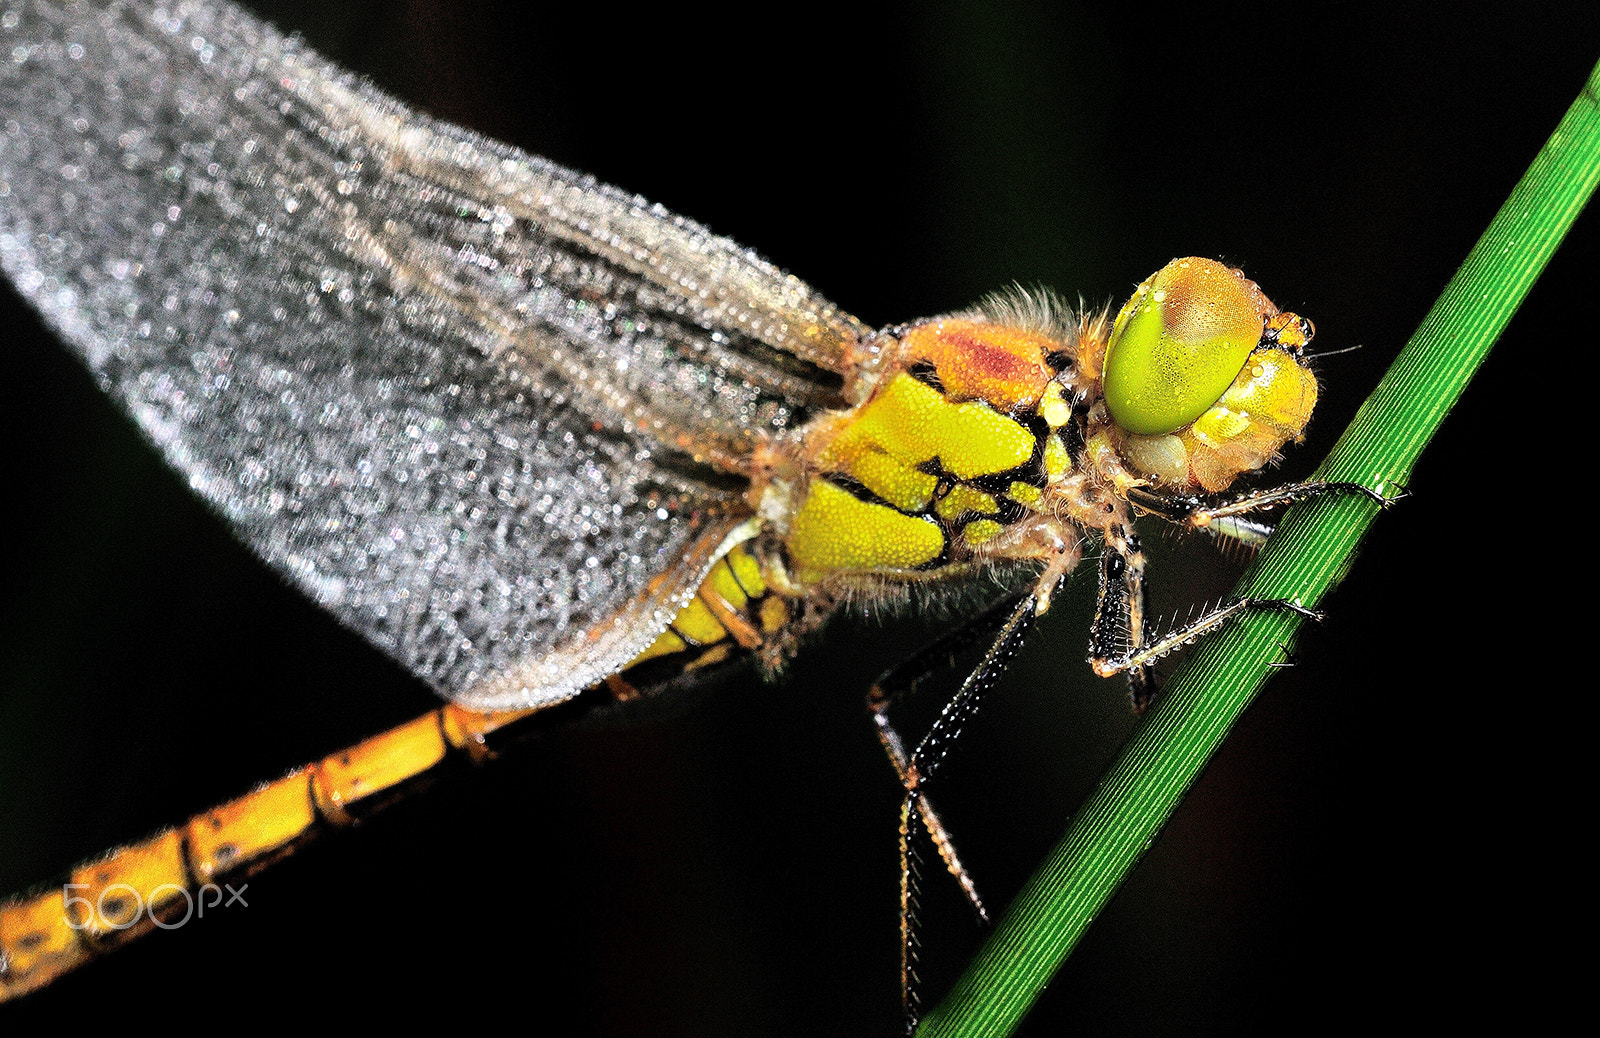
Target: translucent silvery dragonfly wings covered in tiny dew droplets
489, 413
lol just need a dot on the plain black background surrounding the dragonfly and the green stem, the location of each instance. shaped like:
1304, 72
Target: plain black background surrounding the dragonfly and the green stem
1385, 837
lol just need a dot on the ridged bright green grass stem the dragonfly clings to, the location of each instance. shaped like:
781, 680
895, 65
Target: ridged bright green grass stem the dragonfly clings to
1305, 561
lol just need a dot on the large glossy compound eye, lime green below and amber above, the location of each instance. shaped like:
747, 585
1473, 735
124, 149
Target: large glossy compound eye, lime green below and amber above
1180, 343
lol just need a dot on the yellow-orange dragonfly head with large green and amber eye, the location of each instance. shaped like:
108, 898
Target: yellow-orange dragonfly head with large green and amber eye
1204, 377
